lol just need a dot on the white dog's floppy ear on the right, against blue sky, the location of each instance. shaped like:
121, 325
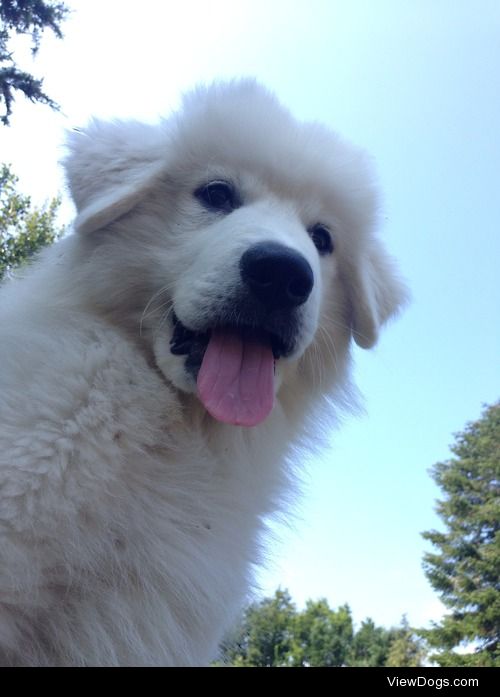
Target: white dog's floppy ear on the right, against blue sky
376, 293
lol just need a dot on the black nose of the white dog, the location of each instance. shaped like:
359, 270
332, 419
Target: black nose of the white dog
278, 276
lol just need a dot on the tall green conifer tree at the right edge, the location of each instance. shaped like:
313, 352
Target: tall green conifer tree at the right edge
465, 569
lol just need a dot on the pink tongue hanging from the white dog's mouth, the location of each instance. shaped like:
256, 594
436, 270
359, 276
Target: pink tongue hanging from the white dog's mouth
236, 379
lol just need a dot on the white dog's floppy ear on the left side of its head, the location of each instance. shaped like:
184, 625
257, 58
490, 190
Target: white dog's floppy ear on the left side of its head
110, 166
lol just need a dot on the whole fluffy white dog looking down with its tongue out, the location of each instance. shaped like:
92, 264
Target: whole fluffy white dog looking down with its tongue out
158, 365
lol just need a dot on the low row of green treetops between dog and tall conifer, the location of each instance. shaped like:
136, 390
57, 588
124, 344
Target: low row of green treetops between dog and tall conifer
274, 633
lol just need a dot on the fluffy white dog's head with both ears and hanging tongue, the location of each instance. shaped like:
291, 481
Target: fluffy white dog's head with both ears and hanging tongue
237, 242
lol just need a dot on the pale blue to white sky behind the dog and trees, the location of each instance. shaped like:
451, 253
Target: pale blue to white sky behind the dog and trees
417, 85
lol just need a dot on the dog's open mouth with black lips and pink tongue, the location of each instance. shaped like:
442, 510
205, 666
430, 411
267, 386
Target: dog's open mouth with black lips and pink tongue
234, 369
